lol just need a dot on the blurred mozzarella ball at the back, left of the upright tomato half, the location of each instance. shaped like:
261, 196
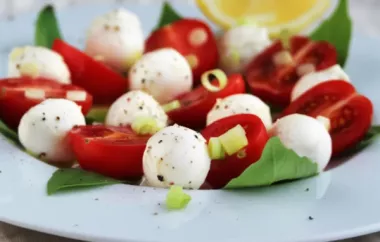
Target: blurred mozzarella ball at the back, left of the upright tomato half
116, 39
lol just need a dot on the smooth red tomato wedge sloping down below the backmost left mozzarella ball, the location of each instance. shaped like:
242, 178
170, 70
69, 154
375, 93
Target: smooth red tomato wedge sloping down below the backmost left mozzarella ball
103, 83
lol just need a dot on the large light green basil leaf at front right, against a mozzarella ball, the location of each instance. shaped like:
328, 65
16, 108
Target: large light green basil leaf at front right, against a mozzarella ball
277, 163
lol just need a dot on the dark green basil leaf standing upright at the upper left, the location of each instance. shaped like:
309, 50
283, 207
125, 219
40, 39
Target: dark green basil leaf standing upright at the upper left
47, 29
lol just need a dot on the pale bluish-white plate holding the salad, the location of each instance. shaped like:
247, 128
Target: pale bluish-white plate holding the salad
343, 202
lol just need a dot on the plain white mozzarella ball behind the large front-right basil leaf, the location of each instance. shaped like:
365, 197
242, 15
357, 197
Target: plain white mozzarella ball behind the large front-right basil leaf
307, 136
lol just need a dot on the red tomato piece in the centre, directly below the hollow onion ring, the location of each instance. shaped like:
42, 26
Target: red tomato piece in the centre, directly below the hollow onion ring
196, 104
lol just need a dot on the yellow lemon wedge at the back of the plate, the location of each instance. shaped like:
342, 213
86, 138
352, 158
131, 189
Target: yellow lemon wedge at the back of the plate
276, 15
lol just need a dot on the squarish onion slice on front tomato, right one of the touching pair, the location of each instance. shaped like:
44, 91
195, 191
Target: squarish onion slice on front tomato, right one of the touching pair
234, 140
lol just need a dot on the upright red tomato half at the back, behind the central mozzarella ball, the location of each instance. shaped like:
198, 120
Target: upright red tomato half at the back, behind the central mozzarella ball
190, 37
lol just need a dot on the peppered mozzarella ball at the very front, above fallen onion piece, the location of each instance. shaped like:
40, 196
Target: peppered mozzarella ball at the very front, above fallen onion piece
176, 156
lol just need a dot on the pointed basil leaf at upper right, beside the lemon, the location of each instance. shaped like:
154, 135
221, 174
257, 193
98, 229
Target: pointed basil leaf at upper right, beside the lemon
337, 30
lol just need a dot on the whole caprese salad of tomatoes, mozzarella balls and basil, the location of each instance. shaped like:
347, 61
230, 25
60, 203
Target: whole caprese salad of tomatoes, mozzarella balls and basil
182, 108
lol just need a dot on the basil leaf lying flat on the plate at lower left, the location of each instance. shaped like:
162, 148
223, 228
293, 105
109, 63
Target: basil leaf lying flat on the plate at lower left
73, 178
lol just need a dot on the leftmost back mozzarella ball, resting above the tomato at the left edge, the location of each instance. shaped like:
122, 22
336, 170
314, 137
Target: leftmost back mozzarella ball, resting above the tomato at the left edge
38, 62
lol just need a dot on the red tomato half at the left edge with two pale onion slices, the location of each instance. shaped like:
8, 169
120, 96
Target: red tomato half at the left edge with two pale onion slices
14, 102
